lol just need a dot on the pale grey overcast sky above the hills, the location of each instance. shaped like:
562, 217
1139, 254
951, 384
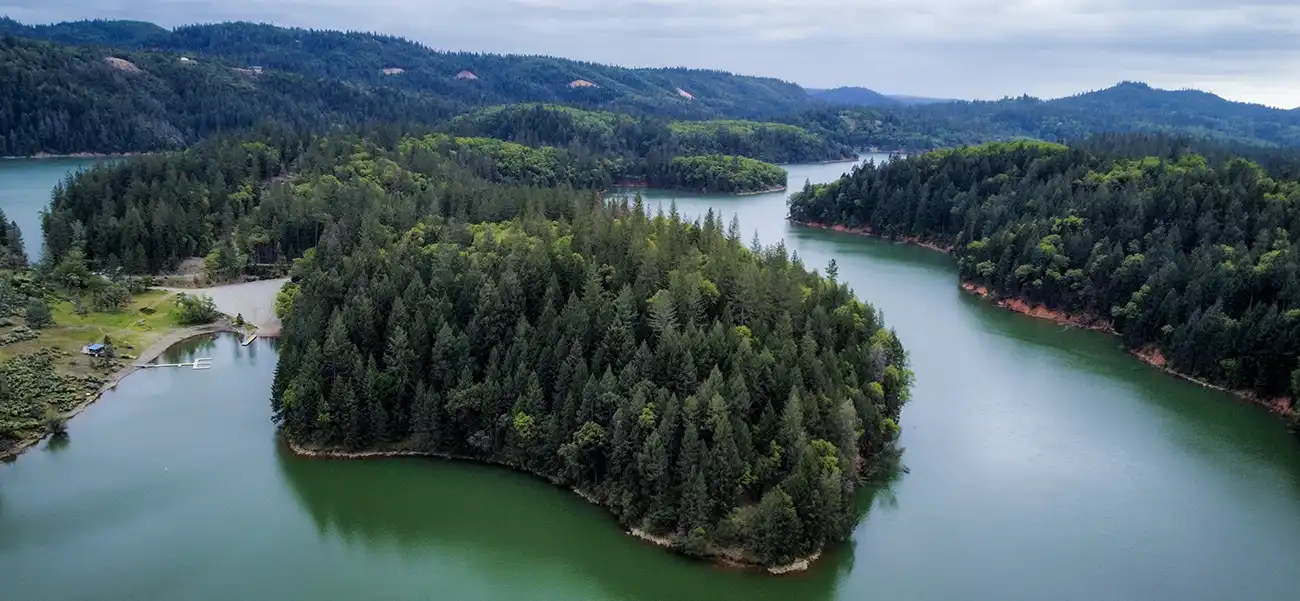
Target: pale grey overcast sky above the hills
1243, 50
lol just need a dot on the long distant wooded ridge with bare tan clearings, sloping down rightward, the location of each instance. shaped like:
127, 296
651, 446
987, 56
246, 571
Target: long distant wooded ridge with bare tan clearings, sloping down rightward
383, 62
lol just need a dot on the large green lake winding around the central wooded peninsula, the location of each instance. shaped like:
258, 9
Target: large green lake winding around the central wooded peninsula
1042, 464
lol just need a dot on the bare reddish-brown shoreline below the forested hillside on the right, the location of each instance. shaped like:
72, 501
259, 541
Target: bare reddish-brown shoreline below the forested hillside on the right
1151, 354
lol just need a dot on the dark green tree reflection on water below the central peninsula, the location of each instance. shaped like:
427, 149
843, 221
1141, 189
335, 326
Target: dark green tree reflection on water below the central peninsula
437, 512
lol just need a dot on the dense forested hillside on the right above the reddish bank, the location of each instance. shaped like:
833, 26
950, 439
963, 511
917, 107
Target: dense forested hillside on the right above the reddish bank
1197, 265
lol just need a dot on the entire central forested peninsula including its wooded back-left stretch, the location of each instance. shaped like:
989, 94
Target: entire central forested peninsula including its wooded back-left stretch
449, 300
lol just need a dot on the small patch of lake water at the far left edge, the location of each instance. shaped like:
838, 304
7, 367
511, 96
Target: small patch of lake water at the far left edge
25, 187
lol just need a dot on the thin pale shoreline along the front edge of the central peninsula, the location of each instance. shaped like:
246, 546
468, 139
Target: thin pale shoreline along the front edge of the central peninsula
722, 557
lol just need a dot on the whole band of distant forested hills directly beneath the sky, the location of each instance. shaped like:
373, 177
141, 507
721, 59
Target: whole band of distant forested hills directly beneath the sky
328, 77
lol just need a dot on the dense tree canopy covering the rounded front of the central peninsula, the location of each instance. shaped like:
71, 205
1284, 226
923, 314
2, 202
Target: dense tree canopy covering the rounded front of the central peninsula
714, 394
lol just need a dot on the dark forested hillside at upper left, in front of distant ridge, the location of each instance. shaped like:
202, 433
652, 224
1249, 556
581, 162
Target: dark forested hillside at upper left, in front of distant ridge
62, 100
